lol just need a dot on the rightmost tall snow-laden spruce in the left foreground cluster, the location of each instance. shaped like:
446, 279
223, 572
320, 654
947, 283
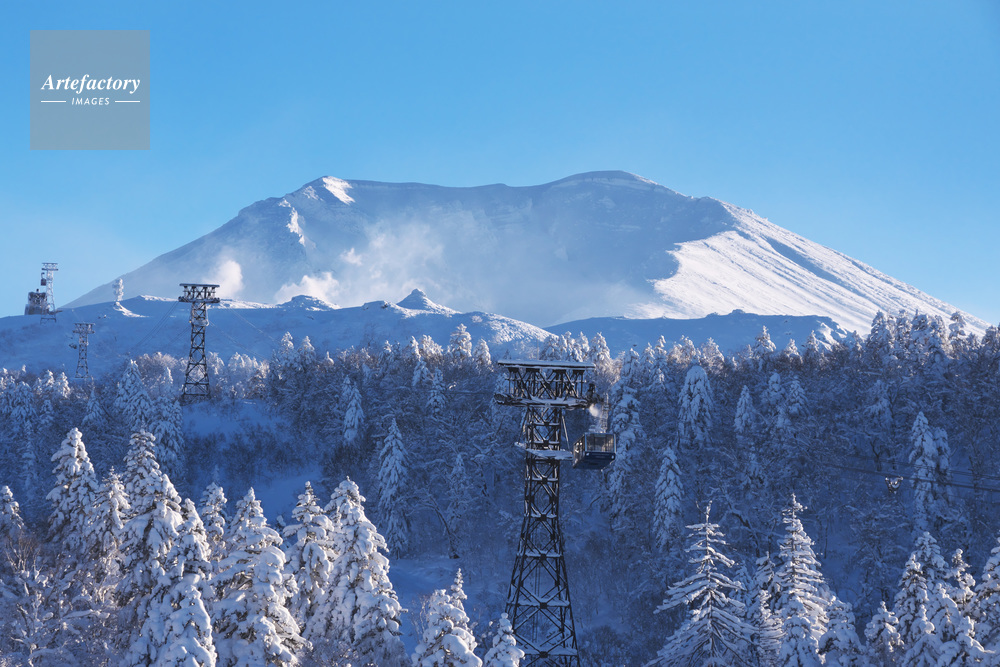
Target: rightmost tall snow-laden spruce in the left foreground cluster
361, 607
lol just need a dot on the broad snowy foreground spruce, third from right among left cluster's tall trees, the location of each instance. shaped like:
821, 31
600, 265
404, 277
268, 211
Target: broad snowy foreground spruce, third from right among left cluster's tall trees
251, 619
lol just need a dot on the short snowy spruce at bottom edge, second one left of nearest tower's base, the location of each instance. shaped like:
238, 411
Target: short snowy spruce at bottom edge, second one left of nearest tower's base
447, 641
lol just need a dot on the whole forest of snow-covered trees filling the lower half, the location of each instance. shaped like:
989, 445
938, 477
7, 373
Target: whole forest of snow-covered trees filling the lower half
834, 505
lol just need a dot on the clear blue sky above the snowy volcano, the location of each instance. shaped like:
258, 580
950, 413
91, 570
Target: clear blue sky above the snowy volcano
869, 127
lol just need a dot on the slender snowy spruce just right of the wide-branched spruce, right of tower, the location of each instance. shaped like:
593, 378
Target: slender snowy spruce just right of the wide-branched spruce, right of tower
798, 575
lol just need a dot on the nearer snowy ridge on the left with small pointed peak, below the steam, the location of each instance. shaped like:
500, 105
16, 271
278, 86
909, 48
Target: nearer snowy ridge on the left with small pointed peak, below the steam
145, 325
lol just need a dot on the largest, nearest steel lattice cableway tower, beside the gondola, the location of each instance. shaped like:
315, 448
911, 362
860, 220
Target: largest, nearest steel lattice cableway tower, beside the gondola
538, 602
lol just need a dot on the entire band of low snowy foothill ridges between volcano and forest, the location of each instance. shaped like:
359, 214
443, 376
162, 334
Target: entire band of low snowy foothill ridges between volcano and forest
146, 325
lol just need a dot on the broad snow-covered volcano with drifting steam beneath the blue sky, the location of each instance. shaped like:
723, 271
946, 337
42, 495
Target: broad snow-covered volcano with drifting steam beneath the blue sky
592, 245
